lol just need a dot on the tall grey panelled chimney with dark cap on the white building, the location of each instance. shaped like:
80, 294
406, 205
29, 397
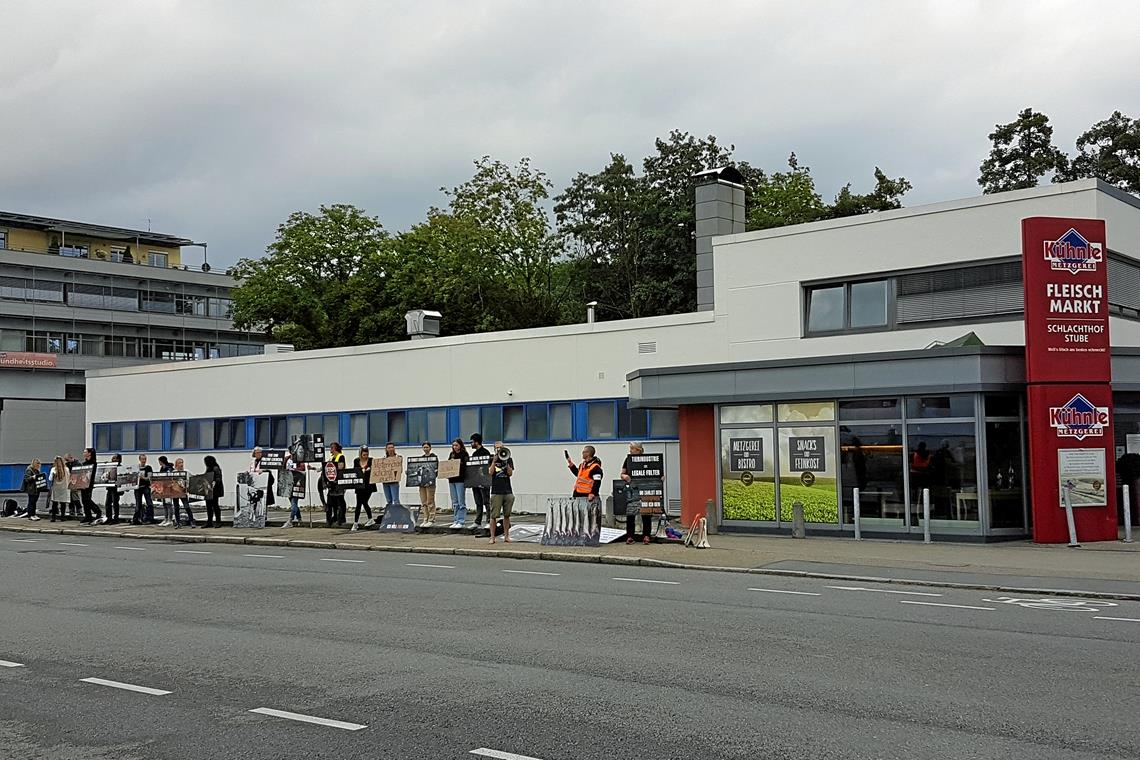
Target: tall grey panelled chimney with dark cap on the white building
720, 211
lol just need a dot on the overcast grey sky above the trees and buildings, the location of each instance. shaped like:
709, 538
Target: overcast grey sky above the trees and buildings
216, 120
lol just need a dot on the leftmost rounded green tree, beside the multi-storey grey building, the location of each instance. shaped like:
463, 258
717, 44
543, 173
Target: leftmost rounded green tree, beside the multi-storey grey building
307, 290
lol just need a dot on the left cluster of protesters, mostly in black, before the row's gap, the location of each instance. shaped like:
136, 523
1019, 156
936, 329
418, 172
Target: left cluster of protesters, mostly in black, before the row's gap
71, 499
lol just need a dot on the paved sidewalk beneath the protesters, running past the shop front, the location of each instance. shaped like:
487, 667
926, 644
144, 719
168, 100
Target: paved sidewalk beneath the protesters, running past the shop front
1106, 569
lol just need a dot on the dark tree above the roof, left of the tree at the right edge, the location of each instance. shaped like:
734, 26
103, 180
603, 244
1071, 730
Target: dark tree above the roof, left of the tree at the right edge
1023, 153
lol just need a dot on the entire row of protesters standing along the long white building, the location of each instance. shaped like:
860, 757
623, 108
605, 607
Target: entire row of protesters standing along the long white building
496, 501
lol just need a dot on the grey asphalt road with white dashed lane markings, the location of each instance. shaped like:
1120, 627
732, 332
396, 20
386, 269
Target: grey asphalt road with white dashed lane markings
436, 658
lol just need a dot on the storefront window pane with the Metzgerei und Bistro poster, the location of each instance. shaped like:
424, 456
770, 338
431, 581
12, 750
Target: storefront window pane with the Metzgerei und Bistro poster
748, 484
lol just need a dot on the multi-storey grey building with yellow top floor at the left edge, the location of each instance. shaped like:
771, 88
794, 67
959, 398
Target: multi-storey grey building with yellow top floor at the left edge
77, 297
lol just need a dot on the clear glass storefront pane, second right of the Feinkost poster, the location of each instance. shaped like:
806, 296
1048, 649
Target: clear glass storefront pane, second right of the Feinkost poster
943, 459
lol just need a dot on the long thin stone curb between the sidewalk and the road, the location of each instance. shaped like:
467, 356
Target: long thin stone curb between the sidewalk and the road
567, 557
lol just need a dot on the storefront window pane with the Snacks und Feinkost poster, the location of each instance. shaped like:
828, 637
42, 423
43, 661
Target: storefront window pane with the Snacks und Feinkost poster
808, 473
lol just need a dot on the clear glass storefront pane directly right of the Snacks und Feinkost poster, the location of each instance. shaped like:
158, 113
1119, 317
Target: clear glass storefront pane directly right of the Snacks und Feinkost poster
872, 459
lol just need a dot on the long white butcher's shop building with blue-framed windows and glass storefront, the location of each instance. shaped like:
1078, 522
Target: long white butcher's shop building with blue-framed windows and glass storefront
883, 353
